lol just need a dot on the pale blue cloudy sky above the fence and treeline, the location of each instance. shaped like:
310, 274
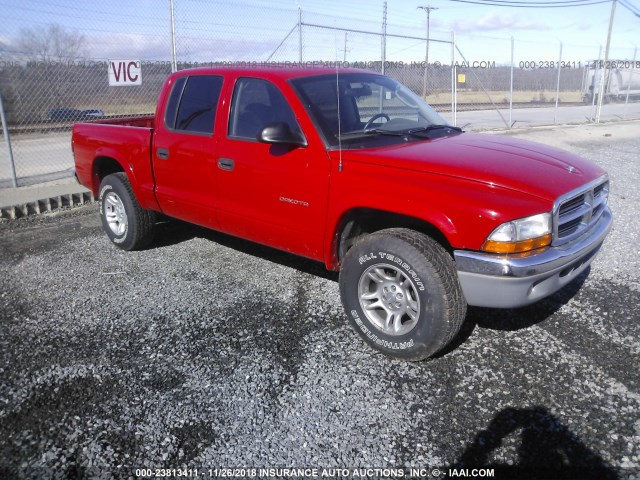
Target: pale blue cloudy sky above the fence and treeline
253, 29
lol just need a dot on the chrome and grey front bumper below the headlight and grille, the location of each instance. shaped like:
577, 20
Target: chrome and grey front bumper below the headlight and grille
510, 281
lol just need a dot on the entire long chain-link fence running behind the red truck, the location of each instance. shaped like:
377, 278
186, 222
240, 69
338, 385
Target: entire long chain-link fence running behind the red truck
107, 62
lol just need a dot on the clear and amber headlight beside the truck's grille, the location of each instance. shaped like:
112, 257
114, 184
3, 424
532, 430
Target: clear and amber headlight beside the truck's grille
520, 235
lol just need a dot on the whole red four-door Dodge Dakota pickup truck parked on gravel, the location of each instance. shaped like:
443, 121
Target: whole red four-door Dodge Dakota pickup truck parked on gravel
353, 169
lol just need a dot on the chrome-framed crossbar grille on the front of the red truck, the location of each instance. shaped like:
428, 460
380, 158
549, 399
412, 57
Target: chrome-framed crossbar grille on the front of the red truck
577, 211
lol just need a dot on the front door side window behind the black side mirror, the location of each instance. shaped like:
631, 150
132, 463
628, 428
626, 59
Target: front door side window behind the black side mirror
257, 103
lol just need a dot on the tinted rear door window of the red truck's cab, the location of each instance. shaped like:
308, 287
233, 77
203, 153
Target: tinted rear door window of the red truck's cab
197, 107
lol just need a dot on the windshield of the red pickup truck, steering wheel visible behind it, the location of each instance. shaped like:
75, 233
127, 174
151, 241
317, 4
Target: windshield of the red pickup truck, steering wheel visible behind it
369, 105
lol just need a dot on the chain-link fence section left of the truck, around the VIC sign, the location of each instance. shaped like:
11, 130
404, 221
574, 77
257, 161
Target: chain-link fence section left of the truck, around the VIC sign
54, 61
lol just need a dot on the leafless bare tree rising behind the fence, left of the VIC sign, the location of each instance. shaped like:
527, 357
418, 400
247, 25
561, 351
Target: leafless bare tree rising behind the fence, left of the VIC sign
52, 43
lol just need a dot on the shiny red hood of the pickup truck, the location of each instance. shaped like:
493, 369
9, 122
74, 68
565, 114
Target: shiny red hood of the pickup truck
528, 167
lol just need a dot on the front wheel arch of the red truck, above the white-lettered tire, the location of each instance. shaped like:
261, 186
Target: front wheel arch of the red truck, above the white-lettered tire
357, 222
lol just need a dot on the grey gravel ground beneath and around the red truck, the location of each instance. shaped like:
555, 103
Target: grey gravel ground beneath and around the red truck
205, 352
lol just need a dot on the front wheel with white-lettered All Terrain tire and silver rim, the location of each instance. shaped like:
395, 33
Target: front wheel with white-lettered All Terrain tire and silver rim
401, 293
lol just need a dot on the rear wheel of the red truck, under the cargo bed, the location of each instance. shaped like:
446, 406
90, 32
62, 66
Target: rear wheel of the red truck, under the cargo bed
125, 222
